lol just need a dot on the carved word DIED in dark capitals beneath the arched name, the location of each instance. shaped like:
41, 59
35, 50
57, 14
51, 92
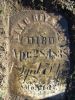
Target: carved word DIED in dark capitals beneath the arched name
38, 40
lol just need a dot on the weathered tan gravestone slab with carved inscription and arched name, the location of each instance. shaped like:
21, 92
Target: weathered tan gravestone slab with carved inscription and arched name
39, 54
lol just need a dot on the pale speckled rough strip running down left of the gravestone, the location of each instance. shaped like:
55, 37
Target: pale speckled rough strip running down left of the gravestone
4, 50
